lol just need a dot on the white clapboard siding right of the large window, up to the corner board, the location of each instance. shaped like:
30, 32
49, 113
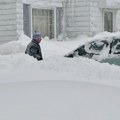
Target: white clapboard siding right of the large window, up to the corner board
78, 18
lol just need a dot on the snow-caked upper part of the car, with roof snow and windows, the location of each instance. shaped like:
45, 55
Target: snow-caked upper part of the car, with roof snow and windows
101, 46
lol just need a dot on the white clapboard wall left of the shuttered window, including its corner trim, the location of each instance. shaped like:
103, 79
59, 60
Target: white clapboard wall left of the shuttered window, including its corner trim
11, 19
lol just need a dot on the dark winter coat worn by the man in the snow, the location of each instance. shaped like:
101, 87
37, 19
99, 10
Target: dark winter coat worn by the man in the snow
33, 49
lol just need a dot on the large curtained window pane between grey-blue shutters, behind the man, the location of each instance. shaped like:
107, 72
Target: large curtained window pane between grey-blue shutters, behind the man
43, 21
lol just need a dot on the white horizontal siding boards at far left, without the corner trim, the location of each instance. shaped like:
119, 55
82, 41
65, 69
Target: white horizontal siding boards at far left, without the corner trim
7, 20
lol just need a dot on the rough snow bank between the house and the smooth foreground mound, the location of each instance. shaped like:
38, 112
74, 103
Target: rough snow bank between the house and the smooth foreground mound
15, 63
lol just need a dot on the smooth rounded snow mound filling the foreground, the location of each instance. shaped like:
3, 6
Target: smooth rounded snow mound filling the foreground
59, 100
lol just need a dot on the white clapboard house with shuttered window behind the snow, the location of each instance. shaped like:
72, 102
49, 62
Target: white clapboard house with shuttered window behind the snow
54, 17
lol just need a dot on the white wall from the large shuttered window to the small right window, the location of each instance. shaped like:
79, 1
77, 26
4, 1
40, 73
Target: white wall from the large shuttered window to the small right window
85, 18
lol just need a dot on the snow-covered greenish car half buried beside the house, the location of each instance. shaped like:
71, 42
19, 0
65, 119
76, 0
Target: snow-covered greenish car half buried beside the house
103, 50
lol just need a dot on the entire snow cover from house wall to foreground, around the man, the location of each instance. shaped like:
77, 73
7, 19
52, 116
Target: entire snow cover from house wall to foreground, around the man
57, 88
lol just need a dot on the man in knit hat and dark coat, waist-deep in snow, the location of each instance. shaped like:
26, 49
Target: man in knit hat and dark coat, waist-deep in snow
33, 48
